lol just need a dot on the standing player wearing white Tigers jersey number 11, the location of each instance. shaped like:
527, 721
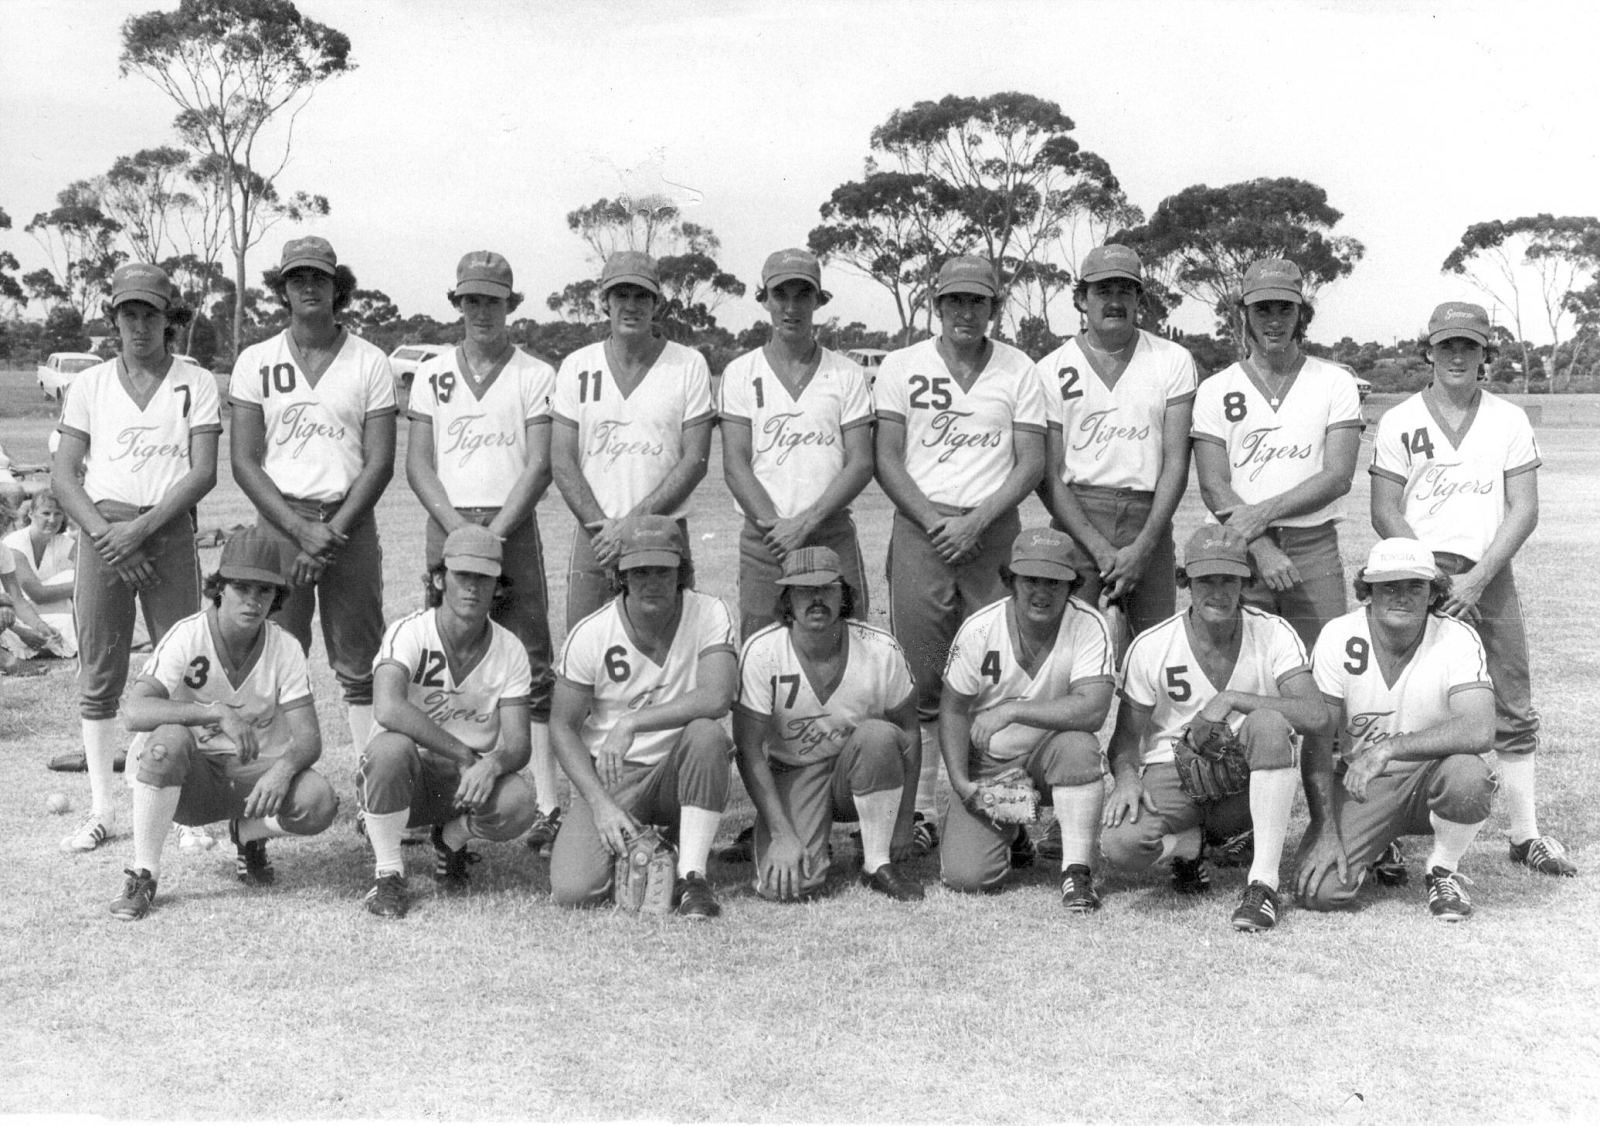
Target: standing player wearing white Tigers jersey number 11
633, 428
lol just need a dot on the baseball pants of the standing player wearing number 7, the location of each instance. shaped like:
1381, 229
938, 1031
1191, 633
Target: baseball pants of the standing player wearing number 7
103, 605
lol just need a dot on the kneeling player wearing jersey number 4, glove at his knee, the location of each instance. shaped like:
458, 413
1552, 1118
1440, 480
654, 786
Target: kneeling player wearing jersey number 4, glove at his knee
1026, 689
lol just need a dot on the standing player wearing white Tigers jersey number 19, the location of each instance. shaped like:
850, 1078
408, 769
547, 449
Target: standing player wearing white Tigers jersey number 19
481, 455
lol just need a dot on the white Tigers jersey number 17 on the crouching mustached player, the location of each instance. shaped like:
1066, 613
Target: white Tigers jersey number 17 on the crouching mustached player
804, 727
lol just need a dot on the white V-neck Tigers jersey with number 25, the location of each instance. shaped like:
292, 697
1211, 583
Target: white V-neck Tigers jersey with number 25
959, 441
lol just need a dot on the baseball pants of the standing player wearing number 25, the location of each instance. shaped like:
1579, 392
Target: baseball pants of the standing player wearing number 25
930, 599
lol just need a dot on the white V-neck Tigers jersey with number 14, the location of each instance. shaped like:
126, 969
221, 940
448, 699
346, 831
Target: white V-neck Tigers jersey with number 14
1455, 482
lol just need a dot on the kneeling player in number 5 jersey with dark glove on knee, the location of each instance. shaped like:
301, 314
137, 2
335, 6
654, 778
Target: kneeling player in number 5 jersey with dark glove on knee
1191, 757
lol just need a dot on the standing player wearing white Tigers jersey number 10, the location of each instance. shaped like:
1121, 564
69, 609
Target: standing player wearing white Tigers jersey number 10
313, 449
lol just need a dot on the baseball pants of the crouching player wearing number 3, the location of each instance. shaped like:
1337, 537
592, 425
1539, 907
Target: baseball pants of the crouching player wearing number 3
217, 786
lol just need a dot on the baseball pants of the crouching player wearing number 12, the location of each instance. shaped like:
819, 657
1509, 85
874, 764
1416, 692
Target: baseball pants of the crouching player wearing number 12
398, 775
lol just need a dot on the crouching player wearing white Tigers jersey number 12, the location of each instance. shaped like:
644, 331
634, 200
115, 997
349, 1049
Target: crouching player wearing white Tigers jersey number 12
450, 697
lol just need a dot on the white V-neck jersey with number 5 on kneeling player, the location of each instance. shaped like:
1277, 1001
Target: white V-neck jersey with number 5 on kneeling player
1162, 673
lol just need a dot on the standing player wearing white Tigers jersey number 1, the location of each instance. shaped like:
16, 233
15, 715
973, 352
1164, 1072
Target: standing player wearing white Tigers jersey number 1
796, 442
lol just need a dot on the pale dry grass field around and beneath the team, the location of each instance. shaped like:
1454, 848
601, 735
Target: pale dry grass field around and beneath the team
295, 1004
